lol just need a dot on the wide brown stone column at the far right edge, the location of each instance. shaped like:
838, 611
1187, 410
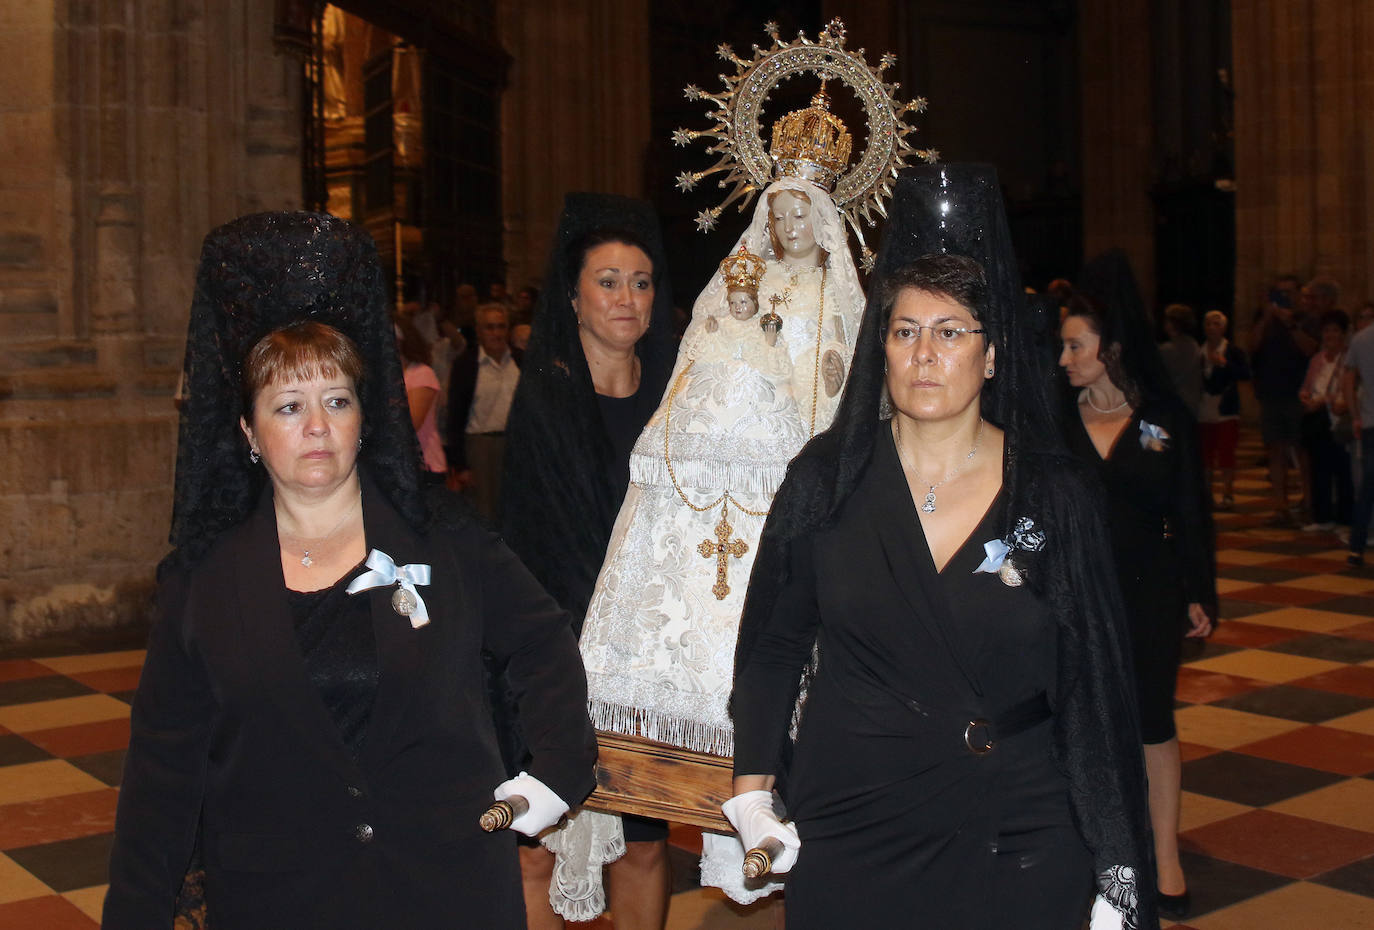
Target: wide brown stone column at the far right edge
1305, 145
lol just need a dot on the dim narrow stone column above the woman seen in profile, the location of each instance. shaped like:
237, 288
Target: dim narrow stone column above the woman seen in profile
1115, 67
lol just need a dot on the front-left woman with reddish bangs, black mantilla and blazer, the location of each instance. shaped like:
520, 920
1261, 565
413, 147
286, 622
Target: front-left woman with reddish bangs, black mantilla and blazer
322, 723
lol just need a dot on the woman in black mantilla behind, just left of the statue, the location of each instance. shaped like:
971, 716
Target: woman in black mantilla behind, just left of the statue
596, 370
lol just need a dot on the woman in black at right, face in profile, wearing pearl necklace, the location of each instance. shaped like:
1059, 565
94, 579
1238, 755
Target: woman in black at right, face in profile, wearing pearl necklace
1126, 422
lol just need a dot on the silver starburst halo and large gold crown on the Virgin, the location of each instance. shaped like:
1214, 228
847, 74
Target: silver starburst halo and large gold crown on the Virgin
810, 144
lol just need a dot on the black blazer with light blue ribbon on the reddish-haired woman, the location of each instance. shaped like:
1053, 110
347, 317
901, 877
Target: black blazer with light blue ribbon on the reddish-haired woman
230, 737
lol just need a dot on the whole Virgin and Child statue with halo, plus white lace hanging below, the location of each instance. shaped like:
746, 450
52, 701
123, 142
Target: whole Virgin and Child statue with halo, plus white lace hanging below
761, 372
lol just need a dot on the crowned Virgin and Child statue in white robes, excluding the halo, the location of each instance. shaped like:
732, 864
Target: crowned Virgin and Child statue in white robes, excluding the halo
660, 634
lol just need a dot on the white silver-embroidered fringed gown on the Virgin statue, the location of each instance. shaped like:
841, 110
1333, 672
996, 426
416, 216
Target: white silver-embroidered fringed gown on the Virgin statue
657, 645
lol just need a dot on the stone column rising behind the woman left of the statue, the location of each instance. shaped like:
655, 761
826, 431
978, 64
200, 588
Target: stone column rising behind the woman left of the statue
590, 135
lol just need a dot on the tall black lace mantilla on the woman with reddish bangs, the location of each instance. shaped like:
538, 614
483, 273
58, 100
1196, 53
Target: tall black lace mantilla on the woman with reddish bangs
259, 274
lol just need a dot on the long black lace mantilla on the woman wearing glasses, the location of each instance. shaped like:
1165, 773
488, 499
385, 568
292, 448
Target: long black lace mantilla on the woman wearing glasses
958, 209
